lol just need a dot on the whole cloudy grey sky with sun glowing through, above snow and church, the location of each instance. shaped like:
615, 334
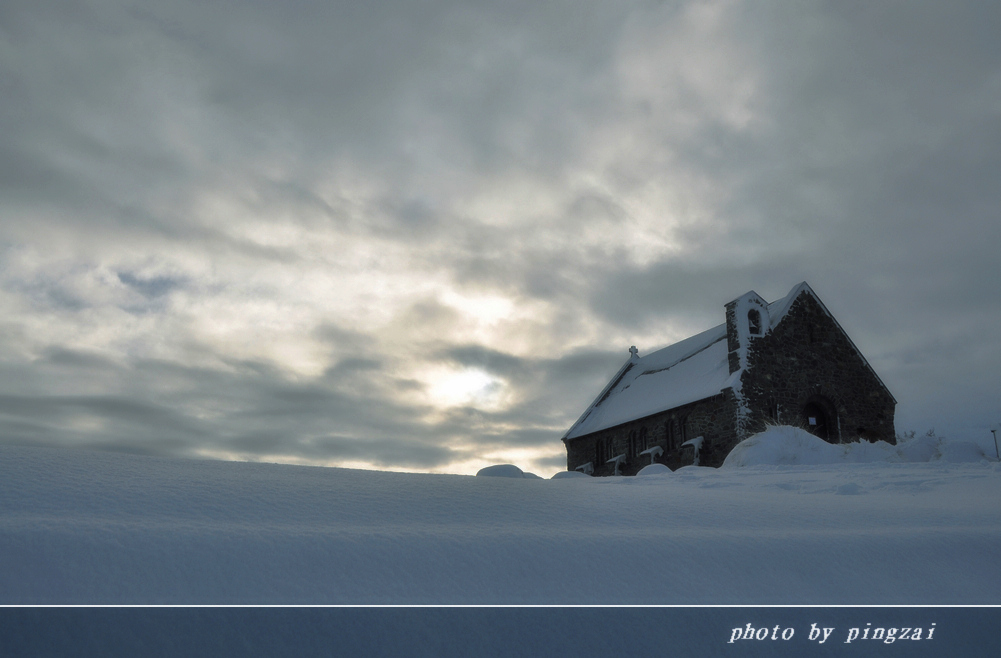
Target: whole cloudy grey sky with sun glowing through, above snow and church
423, 236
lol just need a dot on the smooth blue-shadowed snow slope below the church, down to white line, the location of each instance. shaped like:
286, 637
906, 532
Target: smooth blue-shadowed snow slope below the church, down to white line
81, 527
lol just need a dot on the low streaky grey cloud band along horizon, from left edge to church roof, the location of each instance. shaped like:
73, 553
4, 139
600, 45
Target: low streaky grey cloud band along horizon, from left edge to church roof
253, 411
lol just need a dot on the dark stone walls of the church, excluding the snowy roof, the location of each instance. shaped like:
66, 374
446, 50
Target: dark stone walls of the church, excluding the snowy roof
806, 362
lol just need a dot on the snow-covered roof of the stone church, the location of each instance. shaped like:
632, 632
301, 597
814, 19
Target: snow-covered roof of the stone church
683, 373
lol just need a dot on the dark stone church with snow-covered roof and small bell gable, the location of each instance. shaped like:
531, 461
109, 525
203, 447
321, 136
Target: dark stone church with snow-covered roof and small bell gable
784, 363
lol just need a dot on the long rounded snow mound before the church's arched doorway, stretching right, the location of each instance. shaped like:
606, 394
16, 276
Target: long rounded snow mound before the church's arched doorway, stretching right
784, 445
